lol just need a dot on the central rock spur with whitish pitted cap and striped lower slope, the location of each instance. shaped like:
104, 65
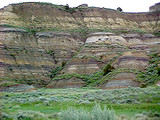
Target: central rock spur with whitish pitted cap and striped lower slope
97, 52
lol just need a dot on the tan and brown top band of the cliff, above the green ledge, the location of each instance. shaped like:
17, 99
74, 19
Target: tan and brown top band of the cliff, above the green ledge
39, 15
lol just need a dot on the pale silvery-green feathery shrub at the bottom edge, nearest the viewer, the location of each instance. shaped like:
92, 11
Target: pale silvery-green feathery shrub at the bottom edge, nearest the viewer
79, 114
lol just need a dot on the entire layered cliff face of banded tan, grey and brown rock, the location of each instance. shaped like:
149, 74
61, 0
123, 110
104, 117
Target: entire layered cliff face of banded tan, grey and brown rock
39, 42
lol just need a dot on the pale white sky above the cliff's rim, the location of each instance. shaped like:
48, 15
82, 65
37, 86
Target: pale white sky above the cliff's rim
126, 5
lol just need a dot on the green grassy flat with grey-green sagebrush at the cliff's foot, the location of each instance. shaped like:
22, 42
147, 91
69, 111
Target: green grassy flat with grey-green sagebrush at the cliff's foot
62, 104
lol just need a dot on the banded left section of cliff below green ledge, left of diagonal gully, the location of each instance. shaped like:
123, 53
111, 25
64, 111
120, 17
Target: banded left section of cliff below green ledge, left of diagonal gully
29, 58
